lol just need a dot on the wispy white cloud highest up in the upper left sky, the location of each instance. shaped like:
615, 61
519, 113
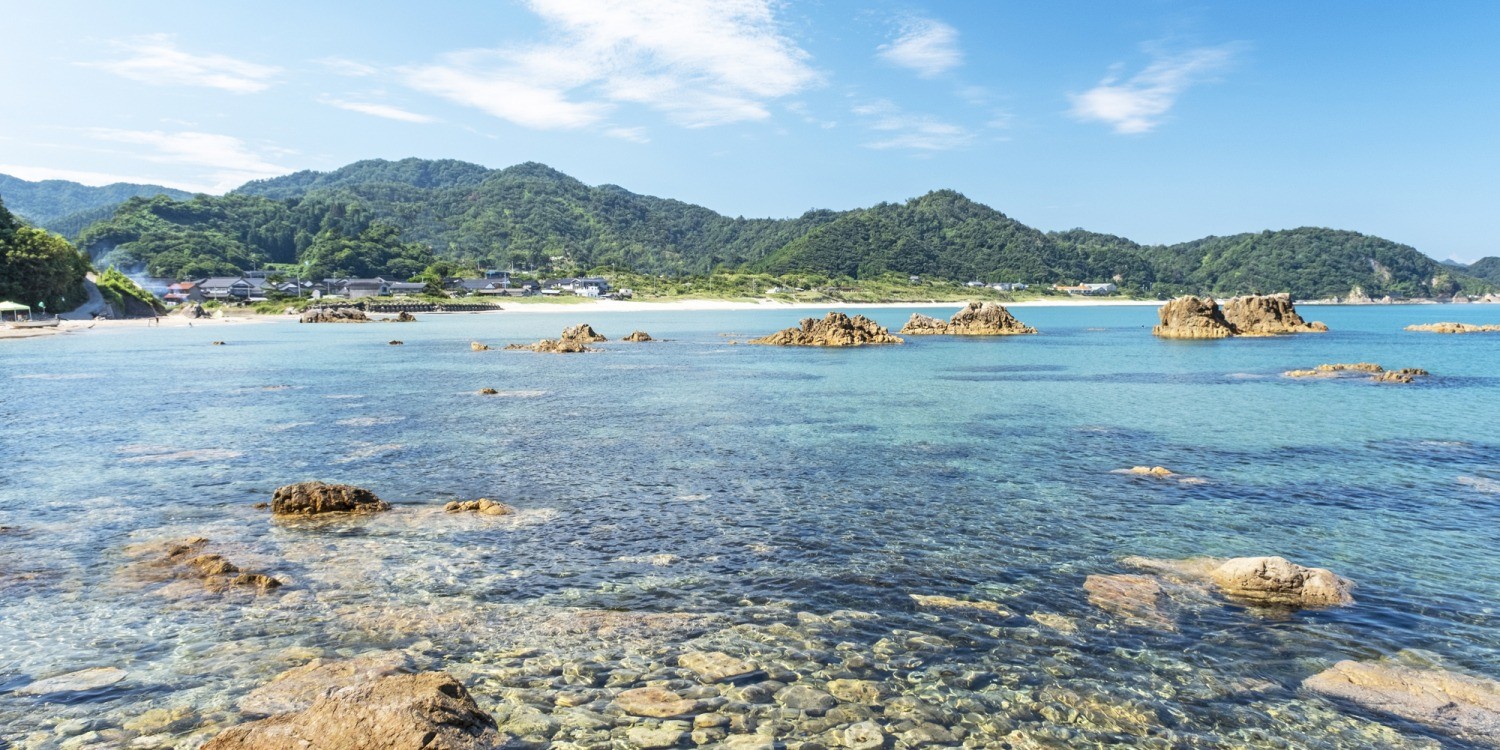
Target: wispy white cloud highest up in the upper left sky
157, 61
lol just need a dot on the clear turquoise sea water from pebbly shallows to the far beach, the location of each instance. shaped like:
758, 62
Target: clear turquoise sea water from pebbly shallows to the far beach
776, 493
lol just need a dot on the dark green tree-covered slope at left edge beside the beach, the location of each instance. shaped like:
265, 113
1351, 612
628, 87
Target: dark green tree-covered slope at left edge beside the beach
40, 268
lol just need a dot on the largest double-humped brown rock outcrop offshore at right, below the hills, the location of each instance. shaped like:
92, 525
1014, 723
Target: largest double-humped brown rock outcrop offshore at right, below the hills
1250, 316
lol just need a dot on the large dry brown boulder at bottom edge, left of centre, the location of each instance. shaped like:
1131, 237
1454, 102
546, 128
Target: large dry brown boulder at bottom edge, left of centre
428, 712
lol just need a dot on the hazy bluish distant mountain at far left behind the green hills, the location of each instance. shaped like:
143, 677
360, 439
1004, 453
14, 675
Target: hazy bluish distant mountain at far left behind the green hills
62, 206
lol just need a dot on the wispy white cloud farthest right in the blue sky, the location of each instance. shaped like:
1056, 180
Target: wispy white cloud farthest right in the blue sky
1139, 104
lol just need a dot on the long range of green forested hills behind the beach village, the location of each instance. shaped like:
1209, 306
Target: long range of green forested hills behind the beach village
395, 218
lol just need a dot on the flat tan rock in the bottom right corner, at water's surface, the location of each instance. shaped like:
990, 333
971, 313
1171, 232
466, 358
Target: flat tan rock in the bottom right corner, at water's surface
1451, 703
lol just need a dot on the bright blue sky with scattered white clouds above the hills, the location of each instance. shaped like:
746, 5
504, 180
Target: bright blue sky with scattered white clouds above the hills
1159, 121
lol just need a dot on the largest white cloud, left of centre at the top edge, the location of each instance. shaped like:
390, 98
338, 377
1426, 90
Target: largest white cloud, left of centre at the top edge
700, 62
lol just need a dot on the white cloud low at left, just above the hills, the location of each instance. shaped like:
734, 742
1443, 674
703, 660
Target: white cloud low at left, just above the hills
223, 161
